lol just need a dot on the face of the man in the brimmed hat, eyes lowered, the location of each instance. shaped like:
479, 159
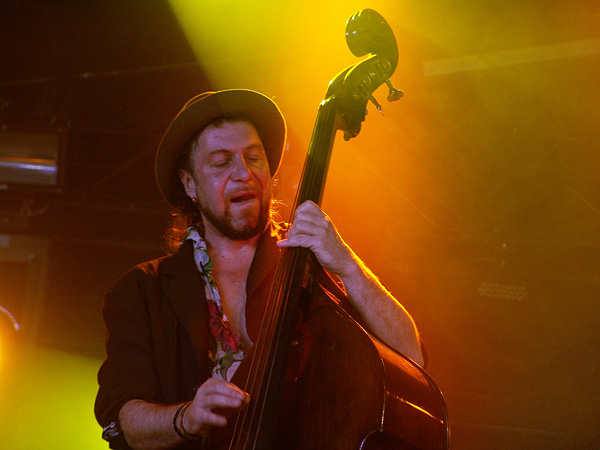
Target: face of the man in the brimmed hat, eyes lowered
231, 180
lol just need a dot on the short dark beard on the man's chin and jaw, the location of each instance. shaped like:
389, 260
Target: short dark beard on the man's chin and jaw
240, 228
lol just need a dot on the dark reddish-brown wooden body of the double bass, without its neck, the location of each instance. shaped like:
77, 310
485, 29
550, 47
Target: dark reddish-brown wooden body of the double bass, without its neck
346, 390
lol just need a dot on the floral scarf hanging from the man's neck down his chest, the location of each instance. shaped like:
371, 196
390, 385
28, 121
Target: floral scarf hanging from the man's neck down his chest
226, 350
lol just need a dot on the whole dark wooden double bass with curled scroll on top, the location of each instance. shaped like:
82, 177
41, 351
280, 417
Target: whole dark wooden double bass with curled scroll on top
318, 380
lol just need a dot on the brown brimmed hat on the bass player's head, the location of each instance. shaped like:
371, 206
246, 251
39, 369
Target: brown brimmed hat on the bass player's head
204, 109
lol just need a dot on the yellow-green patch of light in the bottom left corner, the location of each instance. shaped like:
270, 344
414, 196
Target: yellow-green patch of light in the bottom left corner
47, 399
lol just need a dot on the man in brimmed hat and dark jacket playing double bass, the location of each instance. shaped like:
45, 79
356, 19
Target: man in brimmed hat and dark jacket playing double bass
179, 327
